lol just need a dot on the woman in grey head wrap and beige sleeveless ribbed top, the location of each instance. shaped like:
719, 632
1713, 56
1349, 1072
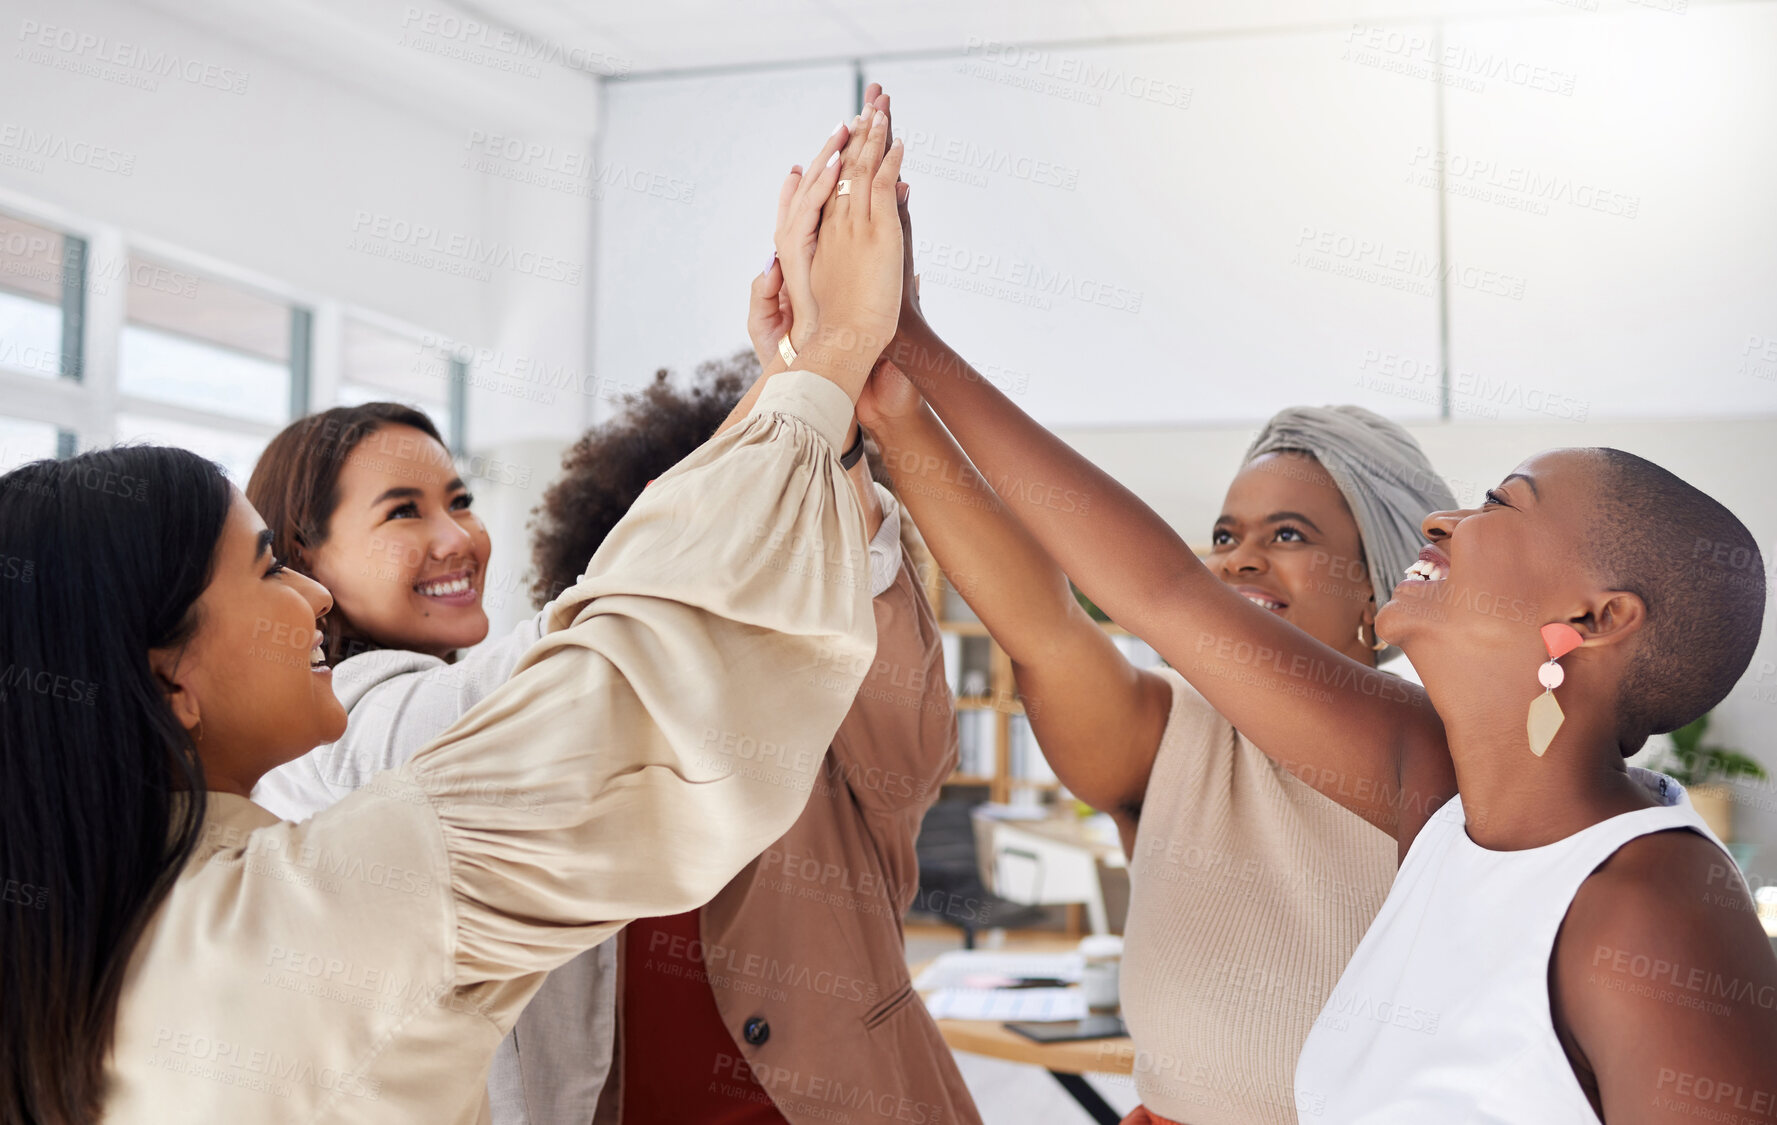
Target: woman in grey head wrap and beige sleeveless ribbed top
1250, 890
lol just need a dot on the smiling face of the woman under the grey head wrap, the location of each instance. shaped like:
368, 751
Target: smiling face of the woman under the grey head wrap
1289, 543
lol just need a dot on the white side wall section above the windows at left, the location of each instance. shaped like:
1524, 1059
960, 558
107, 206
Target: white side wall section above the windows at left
312, 170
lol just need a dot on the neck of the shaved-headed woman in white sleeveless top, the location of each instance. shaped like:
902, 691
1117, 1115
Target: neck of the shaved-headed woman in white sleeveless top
1515, 799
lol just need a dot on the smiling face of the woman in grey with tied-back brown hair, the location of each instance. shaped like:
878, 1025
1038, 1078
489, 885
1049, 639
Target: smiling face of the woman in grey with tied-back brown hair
404, 555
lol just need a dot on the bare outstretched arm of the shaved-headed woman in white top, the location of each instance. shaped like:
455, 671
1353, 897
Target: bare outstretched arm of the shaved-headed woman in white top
1337, 724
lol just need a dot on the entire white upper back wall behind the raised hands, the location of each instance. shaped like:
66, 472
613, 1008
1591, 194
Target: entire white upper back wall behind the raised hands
1213, 228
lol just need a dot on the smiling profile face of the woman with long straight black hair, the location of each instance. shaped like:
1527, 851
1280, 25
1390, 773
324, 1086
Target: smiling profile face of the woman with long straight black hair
250, 682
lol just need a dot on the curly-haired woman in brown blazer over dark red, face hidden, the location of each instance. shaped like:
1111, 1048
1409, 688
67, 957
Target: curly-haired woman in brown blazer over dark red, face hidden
797, 968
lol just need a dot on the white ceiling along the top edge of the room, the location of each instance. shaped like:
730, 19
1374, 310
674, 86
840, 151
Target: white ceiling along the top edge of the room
536, 65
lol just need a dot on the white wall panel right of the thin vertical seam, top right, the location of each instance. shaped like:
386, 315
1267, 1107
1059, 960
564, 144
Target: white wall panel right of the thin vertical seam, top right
1661, 299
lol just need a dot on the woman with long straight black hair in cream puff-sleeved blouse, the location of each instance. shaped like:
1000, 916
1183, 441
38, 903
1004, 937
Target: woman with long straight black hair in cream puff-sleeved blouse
196, 957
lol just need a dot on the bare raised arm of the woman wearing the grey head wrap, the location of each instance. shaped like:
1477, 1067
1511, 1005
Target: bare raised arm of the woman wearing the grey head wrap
1097, 719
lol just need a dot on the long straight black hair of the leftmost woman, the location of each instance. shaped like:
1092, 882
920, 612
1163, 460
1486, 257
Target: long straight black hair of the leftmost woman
102, 559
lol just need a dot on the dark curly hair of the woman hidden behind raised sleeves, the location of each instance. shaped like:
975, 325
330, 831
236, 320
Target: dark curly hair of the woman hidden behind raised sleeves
605, 472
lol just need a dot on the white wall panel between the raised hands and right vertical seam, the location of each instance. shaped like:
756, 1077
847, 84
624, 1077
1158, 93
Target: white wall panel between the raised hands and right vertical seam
1135, 237
